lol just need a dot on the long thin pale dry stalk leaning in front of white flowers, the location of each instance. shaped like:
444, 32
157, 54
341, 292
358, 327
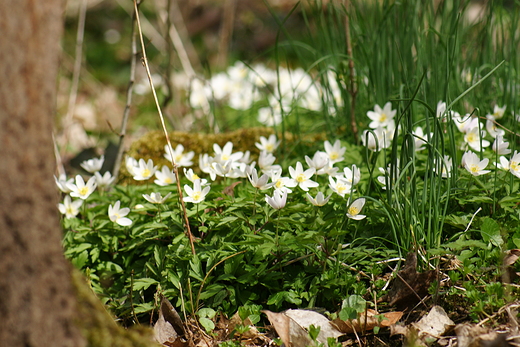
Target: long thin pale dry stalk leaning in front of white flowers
170, 149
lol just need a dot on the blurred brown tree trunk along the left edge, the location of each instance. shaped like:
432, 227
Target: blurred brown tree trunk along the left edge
37, 300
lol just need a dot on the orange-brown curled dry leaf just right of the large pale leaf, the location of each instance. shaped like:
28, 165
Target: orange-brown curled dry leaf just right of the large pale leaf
368, 322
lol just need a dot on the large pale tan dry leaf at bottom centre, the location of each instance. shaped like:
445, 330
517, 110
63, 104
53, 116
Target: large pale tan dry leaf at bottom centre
292, 326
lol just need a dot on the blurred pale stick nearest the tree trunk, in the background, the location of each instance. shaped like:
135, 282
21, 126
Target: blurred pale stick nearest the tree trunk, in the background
77, 67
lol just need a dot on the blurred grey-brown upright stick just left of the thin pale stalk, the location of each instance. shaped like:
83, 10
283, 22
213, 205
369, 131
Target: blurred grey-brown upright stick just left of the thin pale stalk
129, 92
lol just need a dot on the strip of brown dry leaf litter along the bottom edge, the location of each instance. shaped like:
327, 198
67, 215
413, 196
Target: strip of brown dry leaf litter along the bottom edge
421, 325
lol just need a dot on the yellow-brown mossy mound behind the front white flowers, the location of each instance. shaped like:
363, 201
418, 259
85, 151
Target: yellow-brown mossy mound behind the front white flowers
151, 145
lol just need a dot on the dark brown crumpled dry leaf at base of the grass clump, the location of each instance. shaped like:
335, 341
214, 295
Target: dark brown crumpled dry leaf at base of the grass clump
410, 286
